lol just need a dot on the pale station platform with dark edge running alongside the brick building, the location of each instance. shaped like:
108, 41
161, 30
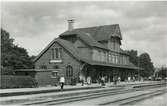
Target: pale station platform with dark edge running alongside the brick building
49, 89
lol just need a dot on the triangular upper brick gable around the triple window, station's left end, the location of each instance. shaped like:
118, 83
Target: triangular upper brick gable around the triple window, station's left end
46, 58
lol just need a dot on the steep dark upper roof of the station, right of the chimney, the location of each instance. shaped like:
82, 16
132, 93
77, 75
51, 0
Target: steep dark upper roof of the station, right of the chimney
92, 35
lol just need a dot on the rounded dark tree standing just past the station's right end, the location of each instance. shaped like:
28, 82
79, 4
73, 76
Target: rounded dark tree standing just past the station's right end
146, 64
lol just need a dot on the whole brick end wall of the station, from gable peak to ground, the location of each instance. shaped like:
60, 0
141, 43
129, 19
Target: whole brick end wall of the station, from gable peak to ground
67, 59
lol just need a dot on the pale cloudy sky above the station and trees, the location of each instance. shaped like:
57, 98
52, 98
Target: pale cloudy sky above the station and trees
143, 24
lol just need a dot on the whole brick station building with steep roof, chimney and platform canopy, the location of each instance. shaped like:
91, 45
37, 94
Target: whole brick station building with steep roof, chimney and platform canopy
84, 52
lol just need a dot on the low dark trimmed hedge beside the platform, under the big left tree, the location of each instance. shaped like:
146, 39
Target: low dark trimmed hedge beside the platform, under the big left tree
13, 81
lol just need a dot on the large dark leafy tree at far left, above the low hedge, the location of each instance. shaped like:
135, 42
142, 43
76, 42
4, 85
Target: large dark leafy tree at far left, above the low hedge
12, 56
